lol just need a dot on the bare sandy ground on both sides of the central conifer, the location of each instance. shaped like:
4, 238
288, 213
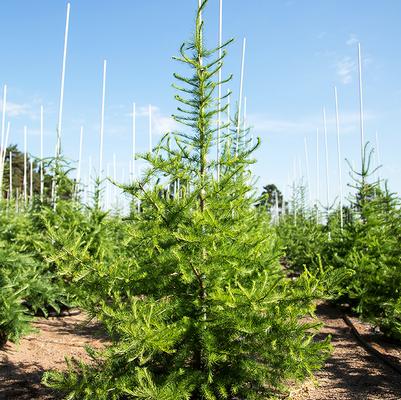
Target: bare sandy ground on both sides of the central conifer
351, 373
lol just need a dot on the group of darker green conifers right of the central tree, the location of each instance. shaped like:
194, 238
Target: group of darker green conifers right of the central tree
367, 245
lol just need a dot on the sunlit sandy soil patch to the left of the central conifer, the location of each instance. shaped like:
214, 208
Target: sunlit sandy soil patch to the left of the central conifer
22, 366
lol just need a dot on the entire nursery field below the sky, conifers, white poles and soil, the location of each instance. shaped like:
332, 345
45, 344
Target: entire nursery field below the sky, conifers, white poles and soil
188, 281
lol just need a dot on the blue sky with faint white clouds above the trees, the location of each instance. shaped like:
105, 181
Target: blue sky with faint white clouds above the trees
296, 52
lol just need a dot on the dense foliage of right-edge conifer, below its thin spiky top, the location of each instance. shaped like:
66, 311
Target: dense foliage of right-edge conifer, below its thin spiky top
369, 245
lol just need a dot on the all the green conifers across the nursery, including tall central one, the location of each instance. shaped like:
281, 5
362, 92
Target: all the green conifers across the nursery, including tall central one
194, 288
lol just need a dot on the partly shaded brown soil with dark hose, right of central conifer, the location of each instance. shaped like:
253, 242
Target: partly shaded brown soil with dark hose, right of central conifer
352, 373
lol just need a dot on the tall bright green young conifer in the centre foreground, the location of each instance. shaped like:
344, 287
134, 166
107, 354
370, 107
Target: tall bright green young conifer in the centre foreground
201, 308
